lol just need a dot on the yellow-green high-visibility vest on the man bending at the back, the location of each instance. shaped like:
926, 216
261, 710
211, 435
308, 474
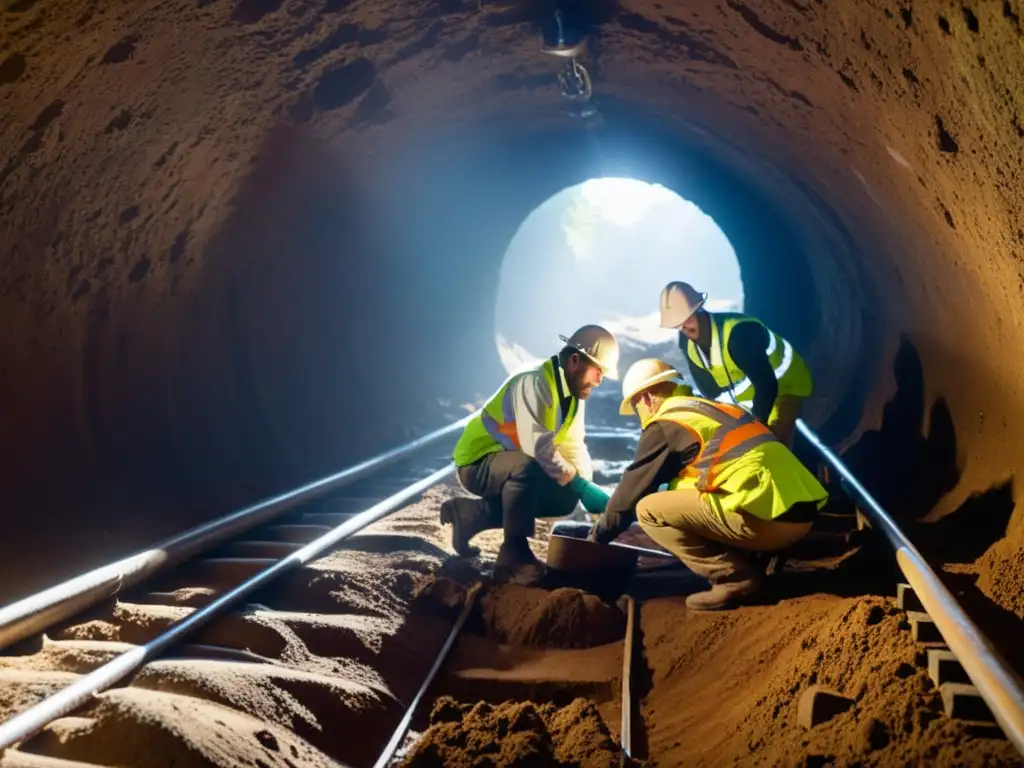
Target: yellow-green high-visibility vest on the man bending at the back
791, 371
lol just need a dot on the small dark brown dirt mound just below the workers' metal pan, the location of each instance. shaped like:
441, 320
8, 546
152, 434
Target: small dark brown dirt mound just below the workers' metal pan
562, 619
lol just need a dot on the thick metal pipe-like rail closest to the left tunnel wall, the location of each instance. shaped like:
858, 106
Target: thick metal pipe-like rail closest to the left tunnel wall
36, 613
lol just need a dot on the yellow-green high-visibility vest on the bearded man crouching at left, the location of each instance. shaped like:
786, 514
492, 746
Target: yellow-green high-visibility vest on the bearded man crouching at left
495, 430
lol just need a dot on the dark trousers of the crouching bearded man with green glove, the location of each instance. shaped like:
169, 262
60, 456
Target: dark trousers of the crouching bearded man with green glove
516, 492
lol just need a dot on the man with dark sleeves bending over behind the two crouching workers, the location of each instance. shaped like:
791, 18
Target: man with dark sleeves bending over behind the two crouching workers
737, 359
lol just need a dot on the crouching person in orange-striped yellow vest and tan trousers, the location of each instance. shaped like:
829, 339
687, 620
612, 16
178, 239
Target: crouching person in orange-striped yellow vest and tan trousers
734, 488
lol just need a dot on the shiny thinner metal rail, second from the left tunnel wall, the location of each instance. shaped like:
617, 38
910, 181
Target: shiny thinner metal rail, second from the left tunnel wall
28, 723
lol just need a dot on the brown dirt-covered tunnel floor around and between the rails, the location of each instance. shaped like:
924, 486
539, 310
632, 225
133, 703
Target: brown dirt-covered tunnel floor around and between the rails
535, 679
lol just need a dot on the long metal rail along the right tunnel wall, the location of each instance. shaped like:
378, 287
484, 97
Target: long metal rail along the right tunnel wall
1002, 689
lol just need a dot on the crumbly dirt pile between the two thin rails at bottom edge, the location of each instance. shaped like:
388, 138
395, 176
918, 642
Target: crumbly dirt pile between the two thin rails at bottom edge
515, 734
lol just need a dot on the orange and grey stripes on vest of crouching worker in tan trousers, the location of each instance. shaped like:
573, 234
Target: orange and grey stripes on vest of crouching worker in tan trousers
737, 434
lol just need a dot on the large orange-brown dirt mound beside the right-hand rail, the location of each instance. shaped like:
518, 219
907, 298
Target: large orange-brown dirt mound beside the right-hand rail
741, 675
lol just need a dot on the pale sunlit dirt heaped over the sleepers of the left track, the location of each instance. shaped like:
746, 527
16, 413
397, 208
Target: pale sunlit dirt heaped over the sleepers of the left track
343, 644
